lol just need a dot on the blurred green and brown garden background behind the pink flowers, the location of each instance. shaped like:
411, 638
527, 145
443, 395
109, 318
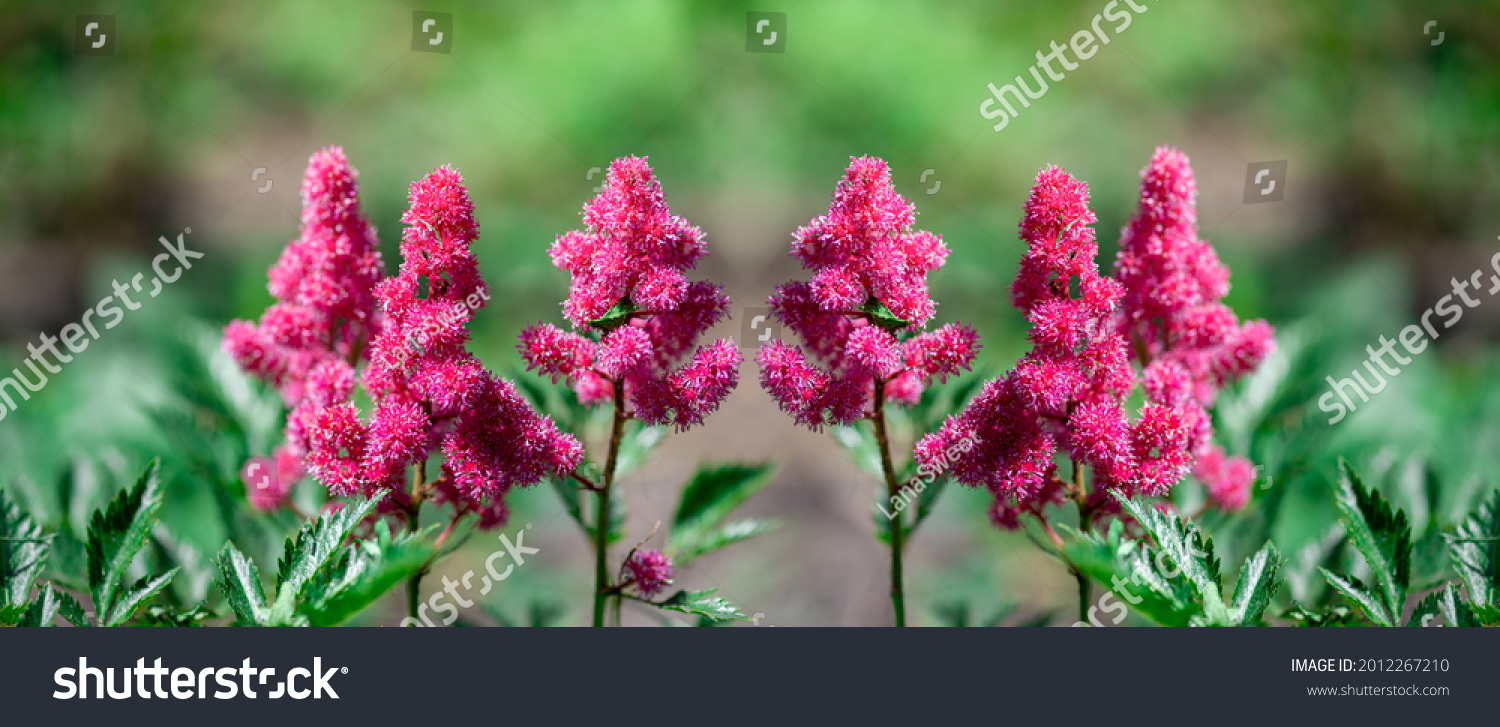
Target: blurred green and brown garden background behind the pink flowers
1394, 172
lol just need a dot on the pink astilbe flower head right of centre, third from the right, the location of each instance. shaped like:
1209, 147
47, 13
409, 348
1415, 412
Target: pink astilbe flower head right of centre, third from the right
869, 284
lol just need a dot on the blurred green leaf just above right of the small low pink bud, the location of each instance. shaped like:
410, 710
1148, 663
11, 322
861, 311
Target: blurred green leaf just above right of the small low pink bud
709, 498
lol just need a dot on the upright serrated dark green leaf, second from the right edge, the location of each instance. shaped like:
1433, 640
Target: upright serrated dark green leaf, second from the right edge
1382, 536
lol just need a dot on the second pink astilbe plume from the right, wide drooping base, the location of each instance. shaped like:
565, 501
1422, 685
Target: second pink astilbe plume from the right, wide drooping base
1069, 393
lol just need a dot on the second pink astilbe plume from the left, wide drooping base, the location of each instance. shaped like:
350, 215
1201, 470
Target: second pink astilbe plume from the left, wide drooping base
430, 393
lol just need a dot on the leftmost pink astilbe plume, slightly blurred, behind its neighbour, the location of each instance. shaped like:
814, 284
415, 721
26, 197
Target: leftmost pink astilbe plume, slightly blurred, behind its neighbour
308, 343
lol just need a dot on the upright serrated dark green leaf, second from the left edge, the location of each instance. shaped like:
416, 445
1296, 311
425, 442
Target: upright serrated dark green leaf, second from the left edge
116, 534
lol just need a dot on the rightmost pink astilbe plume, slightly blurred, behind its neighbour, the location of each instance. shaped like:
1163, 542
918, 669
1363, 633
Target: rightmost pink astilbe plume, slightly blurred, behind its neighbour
1189, 343
